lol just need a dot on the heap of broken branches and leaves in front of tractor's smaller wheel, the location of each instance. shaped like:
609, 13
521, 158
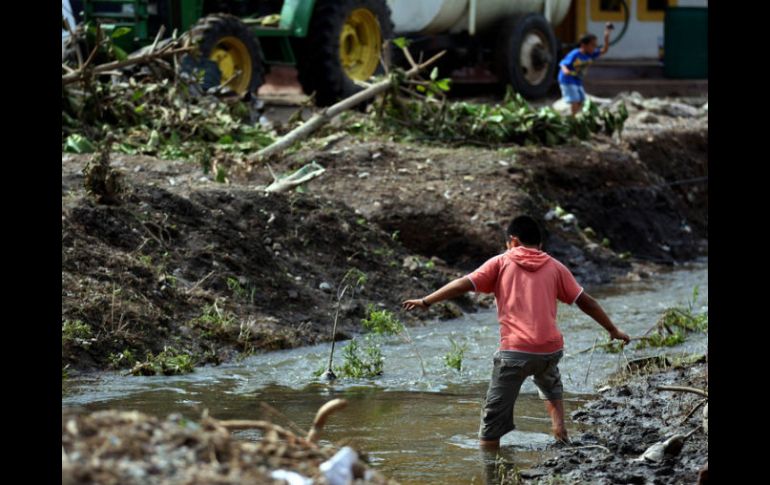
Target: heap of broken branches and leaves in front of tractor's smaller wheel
150, 106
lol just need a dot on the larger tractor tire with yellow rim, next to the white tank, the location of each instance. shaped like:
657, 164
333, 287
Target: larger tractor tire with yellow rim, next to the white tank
345, 42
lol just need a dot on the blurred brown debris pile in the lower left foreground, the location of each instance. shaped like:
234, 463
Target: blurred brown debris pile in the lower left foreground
129, 447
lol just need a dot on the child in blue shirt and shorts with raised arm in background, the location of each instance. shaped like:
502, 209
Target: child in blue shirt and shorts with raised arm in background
575, 64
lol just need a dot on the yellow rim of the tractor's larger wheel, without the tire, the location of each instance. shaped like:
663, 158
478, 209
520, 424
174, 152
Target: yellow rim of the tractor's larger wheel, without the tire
360, 44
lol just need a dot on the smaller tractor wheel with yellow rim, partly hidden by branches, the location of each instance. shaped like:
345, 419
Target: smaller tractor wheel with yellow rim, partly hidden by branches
228, 52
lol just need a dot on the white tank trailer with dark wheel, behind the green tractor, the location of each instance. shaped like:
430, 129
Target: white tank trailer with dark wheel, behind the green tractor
514, 38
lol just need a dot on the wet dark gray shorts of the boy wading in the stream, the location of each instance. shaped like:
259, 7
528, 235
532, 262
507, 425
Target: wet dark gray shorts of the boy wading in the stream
508, 374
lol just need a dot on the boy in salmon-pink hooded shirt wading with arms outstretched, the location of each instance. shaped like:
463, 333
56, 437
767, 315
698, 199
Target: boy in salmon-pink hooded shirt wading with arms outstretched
527, 283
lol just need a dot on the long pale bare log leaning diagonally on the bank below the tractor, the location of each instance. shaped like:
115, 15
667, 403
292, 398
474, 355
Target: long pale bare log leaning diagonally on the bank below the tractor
326, 114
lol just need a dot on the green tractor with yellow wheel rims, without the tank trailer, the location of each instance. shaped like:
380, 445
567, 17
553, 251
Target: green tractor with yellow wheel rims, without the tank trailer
333, 43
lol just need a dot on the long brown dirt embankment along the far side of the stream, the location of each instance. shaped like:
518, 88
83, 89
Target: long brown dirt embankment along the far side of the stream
215, 269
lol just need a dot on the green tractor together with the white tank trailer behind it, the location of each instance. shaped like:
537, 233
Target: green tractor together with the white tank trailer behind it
334, 43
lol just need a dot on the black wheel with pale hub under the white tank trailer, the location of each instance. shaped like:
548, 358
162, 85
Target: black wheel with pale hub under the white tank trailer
527, 55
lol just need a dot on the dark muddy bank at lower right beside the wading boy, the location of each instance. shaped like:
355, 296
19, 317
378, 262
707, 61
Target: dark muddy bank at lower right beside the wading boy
625, 421
